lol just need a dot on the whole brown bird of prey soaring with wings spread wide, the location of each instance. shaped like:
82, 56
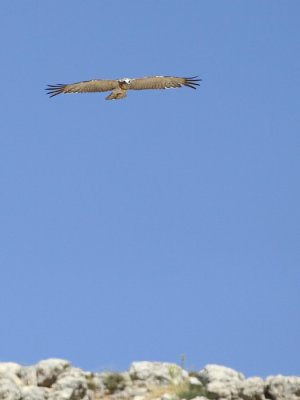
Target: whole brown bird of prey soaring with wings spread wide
119, 87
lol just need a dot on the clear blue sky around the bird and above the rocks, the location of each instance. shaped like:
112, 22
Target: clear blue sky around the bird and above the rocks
164, 224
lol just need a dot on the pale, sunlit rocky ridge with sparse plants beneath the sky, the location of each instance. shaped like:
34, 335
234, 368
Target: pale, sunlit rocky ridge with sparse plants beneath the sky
56, 379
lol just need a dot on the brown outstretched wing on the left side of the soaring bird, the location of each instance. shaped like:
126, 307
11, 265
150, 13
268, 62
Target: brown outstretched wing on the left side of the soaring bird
99, 85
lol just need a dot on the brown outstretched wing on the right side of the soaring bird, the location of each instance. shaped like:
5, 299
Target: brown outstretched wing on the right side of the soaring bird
163, 82
